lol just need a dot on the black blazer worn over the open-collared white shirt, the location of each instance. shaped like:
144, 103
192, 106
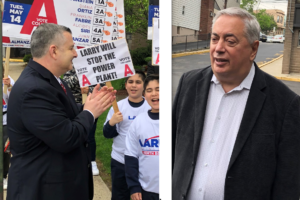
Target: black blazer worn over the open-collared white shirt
265, 162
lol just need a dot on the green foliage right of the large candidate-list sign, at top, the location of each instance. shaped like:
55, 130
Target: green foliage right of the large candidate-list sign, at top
136, 16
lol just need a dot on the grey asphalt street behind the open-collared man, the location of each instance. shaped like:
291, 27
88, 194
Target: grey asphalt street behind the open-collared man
266, 52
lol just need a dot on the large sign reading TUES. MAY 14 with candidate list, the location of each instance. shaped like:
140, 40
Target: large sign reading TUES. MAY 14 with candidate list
91, 21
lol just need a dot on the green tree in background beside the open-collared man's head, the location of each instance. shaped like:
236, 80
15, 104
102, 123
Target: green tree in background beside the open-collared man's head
266, 21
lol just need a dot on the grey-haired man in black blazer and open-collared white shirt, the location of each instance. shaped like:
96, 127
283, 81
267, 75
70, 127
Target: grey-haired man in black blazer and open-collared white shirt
236, 130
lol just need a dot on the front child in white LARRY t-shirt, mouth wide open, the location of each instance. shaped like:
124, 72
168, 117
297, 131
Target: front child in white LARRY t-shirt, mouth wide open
142, 147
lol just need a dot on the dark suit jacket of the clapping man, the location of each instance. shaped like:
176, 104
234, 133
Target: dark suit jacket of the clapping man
48, 135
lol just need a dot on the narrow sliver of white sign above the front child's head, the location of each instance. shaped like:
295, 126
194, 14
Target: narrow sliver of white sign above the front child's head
155, 42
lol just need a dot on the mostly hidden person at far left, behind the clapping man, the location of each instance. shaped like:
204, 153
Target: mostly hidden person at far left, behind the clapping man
9, 82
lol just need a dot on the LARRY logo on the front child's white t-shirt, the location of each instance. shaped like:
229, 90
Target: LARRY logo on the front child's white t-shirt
150, 146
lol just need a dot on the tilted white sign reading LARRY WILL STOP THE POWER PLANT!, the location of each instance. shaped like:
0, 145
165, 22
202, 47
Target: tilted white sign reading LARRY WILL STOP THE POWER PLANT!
102, 63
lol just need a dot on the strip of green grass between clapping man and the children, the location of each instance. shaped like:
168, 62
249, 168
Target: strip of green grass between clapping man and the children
104, 145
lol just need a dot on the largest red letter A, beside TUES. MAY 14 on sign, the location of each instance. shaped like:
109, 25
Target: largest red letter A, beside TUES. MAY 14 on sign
33, 19
